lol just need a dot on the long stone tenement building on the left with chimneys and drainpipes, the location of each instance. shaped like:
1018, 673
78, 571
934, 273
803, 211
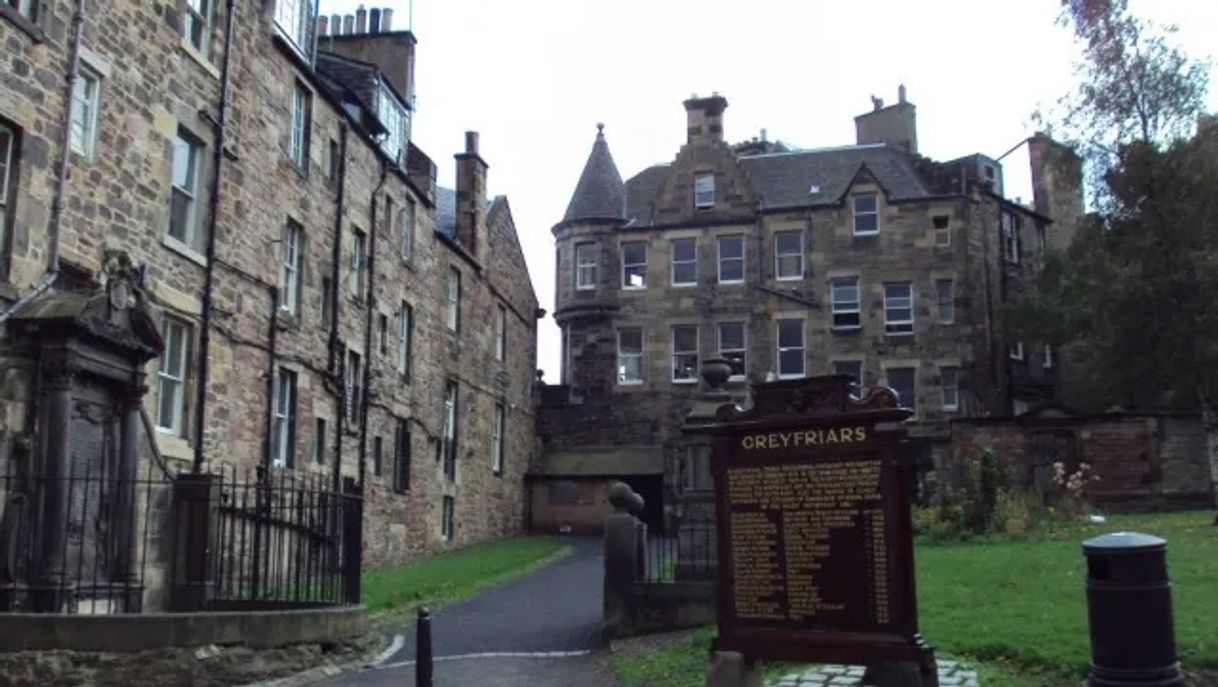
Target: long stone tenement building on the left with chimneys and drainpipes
325, 308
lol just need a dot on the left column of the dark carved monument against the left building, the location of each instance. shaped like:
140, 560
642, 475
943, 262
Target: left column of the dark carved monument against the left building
49, 584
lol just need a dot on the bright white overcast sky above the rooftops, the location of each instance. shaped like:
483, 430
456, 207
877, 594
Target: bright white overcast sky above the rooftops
534, 77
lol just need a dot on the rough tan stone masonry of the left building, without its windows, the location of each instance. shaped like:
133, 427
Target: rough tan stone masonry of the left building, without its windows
155, 86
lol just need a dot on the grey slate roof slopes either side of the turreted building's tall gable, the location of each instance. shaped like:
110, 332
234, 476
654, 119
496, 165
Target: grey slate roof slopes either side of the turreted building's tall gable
785, 180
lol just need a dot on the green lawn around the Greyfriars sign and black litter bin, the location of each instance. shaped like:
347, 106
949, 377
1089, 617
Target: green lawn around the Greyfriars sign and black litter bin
1015, 607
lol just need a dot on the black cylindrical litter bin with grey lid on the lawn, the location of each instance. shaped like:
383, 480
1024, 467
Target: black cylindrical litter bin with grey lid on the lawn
1130, 611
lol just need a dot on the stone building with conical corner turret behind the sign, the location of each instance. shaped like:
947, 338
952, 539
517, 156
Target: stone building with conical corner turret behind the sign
867, 260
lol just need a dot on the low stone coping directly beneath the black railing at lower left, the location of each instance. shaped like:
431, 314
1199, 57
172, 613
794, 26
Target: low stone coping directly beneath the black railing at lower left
150, 632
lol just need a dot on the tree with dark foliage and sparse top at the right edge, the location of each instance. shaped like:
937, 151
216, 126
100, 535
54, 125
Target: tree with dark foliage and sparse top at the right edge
1136, 298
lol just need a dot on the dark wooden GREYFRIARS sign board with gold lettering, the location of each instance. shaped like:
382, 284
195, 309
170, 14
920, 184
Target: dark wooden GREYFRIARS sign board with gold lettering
815, 543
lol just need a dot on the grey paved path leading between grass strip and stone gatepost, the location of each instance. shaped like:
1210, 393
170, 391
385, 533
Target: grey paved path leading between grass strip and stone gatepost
540, 630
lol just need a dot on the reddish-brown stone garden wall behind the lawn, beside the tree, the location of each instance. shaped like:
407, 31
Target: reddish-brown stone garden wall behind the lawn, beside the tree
1144, 462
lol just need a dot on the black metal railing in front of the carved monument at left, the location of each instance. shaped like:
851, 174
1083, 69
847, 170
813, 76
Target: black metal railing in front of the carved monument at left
105, 540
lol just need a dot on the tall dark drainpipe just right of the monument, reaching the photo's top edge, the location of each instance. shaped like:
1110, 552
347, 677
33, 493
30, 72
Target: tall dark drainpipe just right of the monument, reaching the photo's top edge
205, 339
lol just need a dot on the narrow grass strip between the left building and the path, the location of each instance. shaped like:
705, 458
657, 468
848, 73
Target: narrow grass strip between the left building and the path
456, 576
